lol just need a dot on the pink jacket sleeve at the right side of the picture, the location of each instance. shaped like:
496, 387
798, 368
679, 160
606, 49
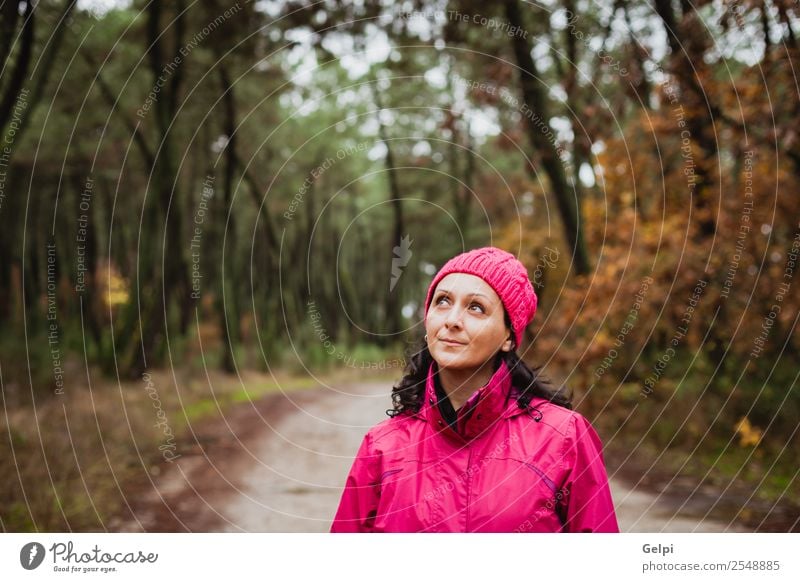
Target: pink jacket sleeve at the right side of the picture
586, 496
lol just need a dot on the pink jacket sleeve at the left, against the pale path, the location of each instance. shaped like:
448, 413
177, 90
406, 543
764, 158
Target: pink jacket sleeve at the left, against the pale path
359, 504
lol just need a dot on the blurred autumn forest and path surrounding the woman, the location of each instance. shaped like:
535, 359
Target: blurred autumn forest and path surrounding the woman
218, 221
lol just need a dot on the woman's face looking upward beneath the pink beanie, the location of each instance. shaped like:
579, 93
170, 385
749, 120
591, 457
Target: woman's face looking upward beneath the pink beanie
465, 323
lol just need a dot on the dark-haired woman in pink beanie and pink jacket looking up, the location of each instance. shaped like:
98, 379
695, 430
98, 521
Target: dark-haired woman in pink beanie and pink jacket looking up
476, 442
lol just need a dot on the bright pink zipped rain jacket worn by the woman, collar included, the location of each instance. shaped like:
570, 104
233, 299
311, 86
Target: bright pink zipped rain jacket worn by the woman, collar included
506, 469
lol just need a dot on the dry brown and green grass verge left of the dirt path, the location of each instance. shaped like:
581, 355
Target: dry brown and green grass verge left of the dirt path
70, 456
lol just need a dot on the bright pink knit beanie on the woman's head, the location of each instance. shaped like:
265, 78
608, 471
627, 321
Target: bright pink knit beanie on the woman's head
504, 273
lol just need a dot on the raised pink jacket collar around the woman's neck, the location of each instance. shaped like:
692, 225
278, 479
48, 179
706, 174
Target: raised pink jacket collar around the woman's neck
486, 405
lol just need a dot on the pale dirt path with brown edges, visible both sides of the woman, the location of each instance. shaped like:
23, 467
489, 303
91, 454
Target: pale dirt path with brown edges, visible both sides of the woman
278, 465
